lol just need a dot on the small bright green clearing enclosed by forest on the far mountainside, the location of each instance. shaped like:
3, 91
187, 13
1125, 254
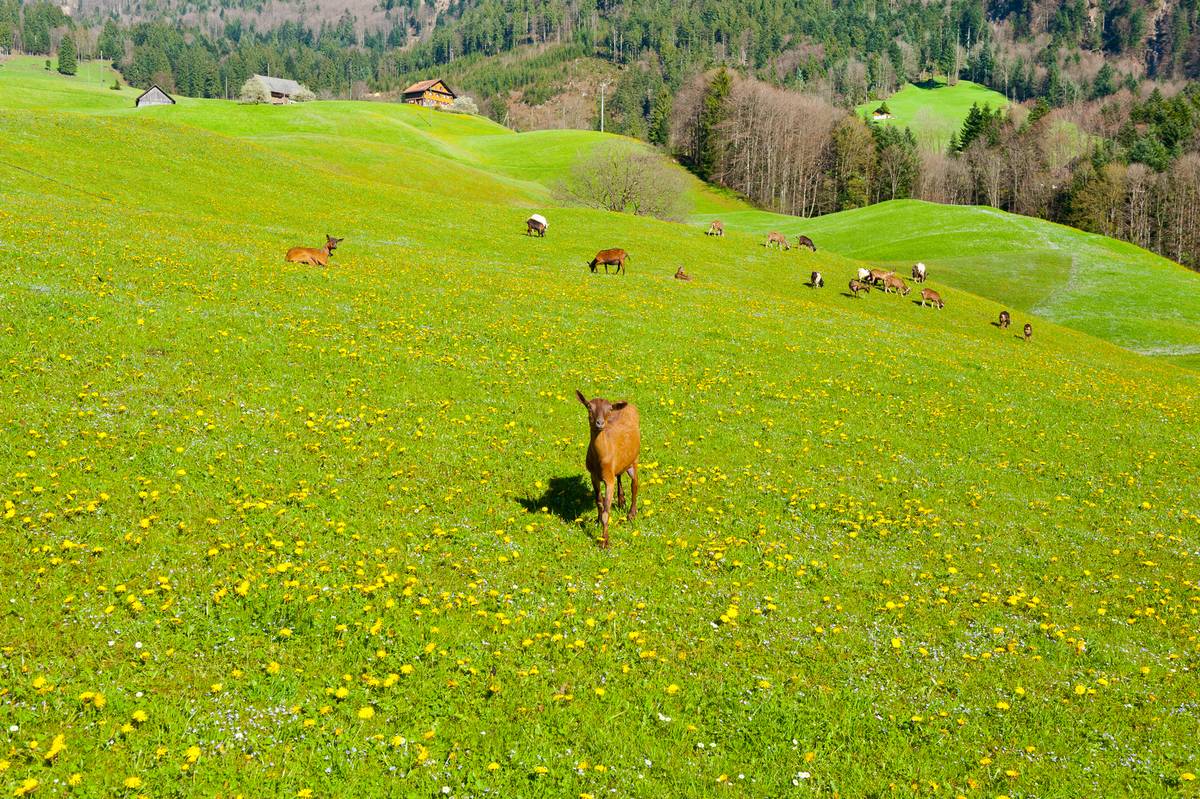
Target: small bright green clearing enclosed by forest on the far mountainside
934, 110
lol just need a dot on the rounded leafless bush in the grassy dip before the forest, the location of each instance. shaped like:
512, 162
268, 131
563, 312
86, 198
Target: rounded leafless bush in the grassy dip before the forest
622, 177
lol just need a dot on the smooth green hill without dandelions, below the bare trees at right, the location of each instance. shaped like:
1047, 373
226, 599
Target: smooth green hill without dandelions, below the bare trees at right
1101, 286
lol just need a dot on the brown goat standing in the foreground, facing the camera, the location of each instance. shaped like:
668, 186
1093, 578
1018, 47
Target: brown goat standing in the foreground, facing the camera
613, 453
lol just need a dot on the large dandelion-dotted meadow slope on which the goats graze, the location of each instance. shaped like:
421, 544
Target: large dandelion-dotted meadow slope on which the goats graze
274, 531
